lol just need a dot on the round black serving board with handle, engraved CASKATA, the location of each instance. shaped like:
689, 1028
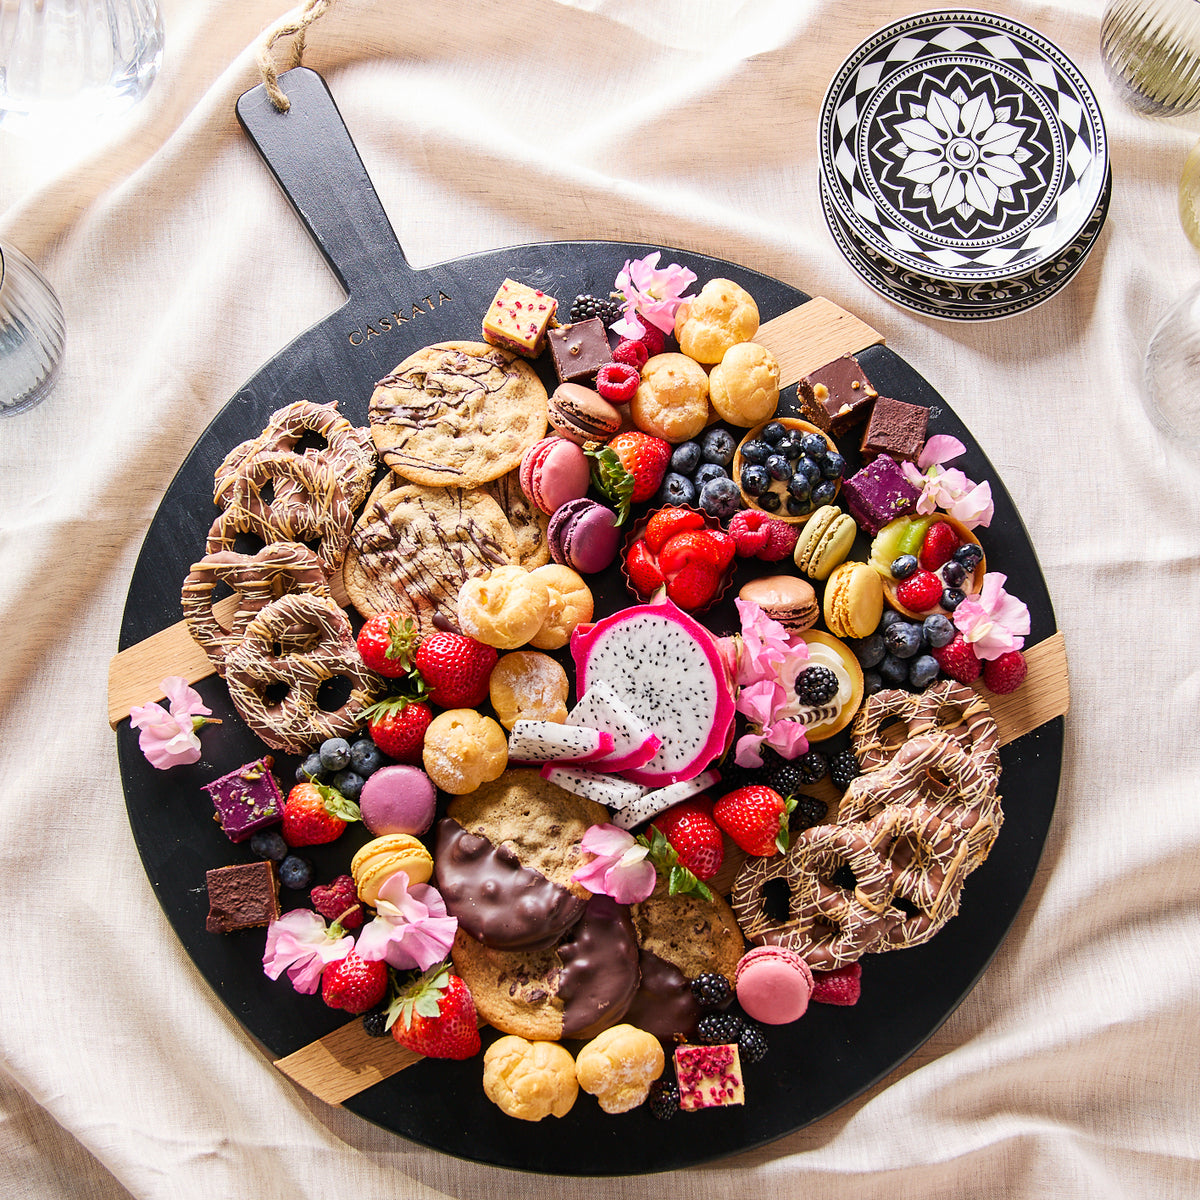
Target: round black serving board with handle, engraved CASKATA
814, 1066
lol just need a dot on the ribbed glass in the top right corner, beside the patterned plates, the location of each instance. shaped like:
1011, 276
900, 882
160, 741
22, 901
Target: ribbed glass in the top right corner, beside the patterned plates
1153, 53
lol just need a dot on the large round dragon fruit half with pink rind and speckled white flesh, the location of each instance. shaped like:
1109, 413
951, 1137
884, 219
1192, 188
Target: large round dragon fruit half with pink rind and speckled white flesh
669, 670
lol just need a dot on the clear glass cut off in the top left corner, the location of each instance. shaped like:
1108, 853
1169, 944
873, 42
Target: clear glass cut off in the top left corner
62, 61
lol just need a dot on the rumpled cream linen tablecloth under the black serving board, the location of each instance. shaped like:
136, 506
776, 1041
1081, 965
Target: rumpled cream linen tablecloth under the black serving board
1071, 1070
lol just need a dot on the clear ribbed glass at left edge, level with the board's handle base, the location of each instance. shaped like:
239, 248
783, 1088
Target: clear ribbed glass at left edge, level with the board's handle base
32, 333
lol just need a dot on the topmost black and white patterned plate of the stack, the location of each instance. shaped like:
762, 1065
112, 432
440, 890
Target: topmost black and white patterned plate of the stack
963, 146
